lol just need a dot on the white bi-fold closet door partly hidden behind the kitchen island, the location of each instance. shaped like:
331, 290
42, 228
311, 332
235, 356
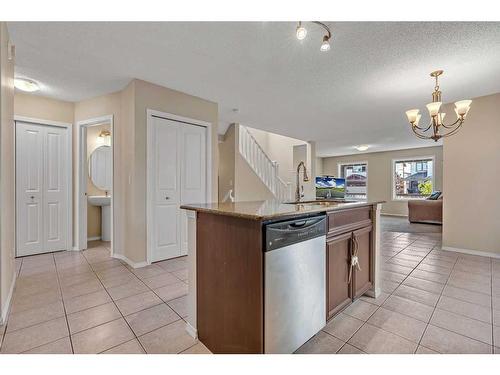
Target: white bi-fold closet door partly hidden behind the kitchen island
177, 173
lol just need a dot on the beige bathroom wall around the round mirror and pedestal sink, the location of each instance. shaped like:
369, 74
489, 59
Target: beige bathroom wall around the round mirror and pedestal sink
94, 212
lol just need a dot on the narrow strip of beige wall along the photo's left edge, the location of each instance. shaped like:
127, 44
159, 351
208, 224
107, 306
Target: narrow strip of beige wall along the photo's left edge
7, 173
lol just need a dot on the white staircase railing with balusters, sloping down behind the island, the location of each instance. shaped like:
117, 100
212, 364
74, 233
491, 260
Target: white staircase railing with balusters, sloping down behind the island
263, 166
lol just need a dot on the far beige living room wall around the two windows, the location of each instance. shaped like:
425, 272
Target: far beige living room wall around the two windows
380, 173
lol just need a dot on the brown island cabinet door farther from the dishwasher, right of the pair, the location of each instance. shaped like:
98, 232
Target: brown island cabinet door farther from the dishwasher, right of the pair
362, 278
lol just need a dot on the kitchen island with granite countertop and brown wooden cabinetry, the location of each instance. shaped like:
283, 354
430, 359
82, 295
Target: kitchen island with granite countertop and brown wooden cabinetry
229, 271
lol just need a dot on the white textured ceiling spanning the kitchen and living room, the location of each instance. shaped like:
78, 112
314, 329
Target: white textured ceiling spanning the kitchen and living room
355, 94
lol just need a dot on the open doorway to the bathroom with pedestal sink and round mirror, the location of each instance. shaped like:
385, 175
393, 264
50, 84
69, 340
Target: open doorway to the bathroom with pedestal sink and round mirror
94, 185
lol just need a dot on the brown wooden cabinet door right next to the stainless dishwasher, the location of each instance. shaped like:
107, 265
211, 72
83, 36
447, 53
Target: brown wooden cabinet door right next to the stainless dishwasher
339, 292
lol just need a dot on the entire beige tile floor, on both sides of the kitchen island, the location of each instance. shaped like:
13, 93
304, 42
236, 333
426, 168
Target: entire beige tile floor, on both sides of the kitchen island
432, 301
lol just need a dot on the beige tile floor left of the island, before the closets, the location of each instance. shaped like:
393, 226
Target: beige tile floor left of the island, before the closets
88, 302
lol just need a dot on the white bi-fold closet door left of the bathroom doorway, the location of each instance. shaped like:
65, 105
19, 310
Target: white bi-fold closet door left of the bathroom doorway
42, 178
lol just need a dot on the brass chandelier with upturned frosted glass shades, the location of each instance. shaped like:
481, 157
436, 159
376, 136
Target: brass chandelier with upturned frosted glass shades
437, 119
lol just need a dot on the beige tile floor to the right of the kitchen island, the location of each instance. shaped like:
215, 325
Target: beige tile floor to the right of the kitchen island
432, 301
